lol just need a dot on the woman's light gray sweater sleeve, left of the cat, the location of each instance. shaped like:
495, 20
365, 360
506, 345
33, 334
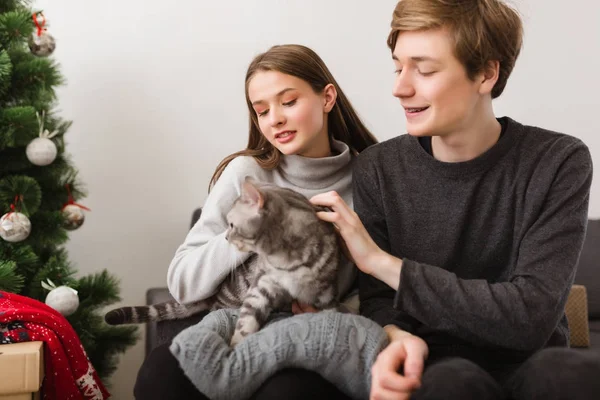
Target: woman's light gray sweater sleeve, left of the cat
205, 258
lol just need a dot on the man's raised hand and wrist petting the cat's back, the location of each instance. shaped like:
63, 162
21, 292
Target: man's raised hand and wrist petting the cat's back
362, 248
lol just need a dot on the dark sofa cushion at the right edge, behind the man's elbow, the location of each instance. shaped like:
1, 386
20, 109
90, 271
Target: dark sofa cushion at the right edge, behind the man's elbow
588, 269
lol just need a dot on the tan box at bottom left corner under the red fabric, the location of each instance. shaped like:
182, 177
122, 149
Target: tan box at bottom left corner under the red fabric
21, 370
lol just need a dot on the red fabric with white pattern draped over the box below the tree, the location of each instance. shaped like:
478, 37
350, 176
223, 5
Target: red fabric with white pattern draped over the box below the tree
68, 372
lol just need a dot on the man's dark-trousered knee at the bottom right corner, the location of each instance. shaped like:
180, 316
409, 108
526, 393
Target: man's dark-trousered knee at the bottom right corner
557, 373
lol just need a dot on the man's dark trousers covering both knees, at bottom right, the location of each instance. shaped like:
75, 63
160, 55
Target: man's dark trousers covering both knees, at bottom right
551, 374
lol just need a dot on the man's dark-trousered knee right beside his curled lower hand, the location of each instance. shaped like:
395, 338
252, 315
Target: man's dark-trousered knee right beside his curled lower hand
457, 378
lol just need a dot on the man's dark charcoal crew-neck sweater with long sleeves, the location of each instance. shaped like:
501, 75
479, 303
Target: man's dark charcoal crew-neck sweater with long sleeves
489, 245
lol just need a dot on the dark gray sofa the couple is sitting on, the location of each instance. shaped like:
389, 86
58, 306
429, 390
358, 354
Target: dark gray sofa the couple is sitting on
586, 303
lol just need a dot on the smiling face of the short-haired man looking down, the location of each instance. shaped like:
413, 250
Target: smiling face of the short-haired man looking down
433, 87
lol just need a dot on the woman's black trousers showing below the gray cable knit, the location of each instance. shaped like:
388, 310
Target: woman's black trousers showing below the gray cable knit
161, 378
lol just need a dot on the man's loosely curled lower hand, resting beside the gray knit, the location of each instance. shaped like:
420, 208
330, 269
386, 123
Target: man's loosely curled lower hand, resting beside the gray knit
407, 351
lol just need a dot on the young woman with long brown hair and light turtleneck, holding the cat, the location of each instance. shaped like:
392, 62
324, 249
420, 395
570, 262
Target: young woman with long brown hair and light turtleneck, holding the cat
304, 135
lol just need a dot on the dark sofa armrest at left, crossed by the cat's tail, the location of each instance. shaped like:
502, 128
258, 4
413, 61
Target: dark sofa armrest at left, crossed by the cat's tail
161, 332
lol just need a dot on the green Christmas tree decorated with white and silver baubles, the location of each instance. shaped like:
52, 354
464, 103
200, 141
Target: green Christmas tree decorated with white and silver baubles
39, 189
